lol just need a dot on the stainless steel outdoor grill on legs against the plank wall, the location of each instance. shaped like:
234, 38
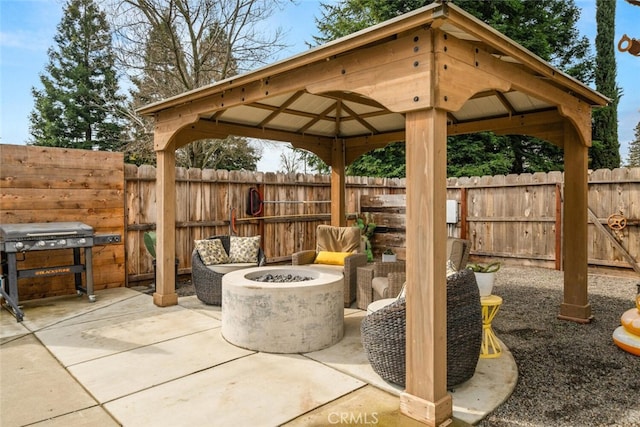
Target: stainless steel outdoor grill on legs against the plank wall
19, 239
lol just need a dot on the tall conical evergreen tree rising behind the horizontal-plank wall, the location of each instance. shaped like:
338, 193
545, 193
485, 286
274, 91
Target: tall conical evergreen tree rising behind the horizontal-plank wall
79, 106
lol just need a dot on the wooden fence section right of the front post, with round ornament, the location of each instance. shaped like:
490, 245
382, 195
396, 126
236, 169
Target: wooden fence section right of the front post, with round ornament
519, 217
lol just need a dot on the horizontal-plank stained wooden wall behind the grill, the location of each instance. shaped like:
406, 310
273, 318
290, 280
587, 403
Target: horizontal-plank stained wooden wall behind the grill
44, 184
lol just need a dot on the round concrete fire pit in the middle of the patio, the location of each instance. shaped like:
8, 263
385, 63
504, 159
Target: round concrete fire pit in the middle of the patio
289, 317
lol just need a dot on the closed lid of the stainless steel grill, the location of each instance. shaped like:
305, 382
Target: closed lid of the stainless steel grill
27, 231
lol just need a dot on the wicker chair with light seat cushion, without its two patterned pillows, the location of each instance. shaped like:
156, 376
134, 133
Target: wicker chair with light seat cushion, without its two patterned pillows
207, 279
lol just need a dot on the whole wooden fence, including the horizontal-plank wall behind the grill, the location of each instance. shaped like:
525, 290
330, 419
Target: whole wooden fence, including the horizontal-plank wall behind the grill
515, 218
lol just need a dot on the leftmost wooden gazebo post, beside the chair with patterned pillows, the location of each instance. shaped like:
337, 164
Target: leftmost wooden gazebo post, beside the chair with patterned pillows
165, 294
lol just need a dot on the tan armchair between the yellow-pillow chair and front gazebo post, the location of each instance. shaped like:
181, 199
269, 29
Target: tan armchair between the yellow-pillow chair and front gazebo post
374, 284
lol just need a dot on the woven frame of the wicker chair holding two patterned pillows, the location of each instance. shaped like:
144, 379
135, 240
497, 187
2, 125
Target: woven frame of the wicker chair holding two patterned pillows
208, 283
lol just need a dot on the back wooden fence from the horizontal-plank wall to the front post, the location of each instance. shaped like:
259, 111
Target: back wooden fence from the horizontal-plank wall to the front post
207, 200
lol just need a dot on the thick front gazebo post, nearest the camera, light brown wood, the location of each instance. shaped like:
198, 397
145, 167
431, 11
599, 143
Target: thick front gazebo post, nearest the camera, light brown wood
426, 398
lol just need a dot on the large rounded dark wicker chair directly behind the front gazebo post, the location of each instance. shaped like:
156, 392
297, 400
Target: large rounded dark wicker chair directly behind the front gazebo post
384, 333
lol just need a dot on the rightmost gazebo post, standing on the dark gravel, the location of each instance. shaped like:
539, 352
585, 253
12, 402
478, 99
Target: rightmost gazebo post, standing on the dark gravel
575, 305
